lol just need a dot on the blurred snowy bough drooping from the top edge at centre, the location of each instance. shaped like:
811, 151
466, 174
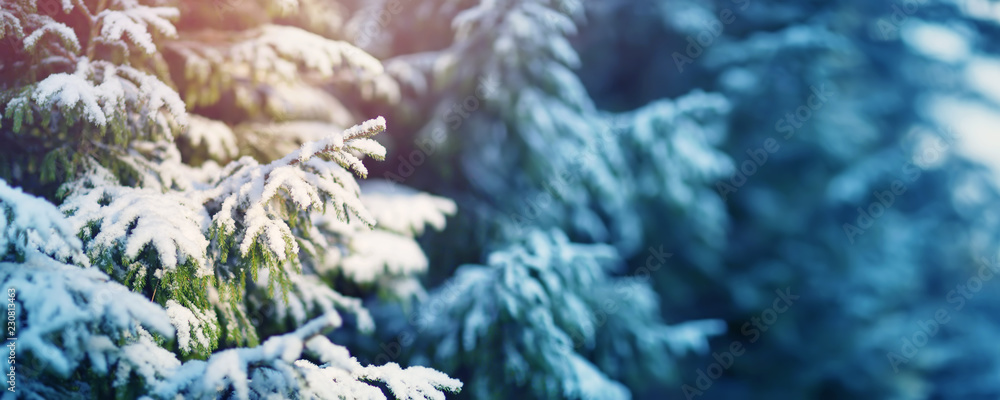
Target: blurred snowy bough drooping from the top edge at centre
543, 123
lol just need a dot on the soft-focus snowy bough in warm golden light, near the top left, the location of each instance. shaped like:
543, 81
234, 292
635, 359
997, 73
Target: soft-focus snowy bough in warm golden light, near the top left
279, 58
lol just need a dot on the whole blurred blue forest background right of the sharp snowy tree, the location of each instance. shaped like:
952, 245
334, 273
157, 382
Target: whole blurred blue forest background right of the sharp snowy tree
819, 175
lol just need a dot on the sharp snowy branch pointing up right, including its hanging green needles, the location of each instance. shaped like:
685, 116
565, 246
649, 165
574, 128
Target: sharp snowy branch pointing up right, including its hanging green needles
257, 209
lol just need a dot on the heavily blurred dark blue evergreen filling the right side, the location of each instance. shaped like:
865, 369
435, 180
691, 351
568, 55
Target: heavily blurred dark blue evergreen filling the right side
863, 204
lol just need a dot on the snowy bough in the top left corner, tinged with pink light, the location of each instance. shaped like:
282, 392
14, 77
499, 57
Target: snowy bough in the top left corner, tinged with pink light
74, 97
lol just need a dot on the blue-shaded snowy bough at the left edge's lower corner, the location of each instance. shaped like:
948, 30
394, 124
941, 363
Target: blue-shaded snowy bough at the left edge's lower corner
67, 316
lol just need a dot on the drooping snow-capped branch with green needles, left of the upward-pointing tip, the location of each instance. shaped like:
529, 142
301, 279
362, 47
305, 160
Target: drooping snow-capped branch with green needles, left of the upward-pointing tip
143, 237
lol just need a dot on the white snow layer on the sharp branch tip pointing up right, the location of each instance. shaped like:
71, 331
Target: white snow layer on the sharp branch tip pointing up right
309, 182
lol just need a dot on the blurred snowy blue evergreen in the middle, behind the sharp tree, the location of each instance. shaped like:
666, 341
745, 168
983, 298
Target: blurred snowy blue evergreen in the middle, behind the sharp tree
545, 244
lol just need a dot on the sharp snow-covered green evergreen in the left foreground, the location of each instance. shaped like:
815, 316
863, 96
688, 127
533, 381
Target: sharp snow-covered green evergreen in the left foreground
171, 267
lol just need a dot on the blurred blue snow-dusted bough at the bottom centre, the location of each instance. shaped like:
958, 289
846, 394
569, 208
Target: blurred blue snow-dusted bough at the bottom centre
542, 287
